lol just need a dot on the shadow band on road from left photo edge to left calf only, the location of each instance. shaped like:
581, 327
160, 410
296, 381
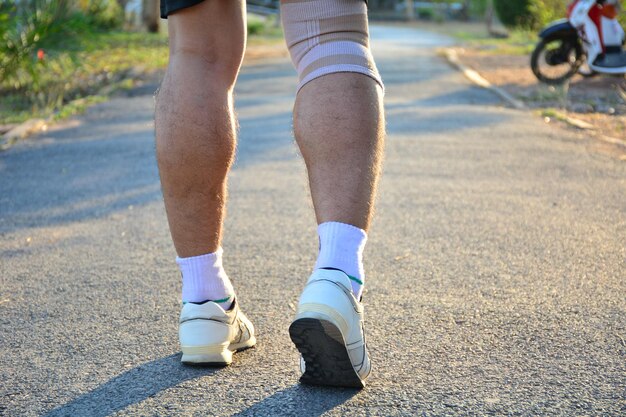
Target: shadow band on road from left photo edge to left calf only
76, 179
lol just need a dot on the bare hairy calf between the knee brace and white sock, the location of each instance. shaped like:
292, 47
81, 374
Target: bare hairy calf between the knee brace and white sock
339, 127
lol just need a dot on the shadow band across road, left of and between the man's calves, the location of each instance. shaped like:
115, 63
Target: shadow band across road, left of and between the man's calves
91, 171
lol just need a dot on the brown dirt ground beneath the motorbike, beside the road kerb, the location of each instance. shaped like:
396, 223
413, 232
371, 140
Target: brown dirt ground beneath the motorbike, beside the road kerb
599, 100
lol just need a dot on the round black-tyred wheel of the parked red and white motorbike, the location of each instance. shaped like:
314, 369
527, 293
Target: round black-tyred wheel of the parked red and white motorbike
556, 60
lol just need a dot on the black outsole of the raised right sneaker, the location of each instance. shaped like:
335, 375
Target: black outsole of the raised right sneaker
325, 354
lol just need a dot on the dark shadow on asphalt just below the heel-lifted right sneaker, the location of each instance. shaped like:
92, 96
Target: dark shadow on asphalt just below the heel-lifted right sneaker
300, 400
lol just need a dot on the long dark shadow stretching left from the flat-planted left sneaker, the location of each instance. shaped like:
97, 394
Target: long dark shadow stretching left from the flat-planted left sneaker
131, 387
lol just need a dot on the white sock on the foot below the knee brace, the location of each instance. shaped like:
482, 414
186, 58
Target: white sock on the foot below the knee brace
341, 247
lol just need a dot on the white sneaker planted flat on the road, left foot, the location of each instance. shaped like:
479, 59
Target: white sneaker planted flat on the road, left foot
209, 335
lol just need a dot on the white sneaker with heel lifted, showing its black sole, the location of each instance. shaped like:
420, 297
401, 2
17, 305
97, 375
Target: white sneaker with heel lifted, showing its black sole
328, 332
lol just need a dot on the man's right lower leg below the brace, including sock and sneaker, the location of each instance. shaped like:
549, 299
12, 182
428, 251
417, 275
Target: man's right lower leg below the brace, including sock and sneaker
339, 127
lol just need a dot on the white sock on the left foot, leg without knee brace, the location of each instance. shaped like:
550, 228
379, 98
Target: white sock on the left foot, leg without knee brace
204, 279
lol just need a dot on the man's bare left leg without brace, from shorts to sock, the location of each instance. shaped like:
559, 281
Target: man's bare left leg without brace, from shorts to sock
195, 123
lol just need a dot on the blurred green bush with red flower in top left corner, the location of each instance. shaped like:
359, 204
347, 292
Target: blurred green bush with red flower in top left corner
43, 50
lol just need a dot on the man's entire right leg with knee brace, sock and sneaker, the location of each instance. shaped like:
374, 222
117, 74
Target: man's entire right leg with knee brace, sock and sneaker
339, 127
